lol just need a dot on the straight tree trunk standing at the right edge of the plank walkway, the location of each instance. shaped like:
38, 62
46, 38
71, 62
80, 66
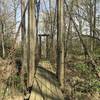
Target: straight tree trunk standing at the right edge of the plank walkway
60, 43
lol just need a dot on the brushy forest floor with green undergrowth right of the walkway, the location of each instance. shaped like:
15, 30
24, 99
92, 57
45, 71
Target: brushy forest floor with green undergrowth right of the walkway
80, 81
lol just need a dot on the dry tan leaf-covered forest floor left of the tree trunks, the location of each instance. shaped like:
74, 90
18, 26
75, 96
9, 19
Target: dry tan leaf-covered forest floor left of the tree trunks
7, 73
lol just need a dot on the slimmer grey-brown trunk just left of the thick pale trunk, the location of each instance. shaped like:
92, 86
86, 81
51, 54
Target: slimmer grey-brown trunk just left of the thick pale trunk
24, 45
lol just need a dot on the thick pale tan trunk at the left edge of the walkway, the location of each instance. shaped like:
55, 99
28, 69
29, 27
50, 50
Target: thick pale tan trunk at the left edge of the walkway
31, 42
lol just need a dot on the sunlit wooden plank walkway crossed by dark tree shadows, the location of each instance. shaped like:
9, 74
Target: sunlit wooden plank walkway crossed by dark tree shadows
45, 86
